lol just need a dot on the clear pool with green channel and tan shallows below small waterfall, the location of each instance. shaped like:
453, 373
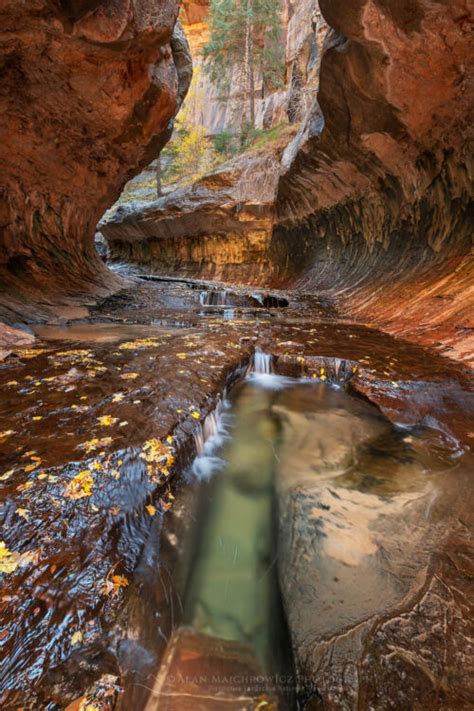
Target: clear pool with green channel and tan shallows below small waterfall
296, 488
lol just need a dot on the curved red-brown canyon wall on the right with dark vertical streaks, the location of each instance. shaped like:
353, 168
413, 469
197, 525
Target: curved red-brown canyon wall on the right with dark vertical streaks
374, 199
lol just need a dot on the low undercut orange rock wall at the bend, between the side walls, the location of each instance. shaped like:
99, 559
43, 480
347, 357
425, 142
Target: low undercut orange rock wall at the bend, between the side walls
220, 227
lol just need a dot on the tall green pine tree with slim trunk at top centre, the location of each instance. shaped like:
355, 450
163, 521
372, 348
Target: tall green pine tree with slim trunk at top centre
245, 34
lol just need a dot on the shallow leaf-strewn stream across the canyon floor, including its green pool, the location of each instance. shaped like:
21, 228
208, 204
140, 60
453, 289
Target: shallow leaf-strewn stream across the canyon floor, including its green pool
127, 563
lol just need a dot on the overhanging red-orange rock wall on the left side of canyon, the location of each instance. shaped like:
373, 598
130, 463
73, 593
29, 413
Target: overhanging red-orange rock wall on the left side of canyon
88, 89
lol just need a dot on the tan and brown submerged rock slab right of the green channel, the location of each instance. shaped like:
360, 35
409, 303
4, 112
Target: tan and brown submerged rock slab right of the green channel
365, 562
